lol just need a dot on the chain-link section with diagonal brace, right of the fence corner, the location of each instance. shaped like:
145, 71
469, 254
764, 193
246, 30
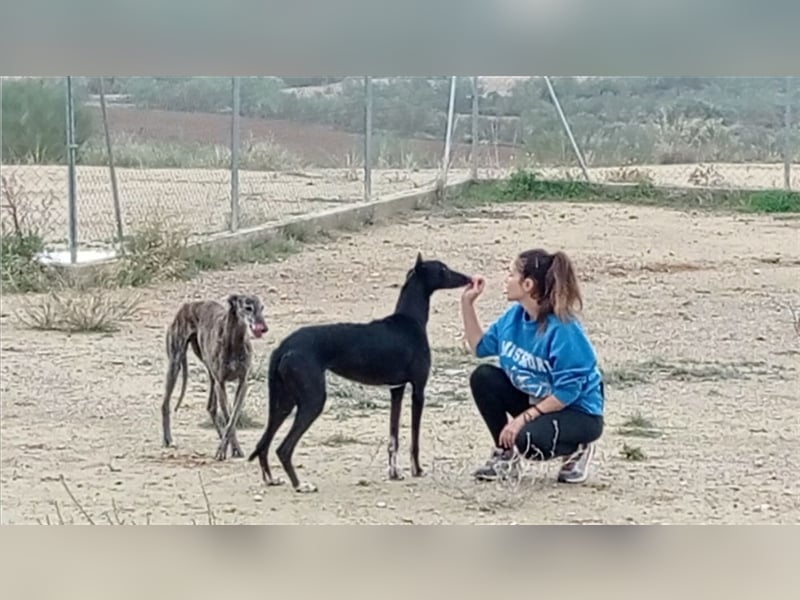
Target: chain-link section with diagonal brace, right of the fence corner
724, 132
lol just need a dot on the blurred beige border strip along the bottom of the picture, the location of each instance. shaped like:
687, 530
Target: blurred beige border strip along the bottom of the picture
47, 561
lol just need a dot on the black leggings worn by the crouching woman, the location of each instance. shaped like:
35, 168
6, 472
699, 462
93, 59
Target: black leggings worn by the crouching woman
548, 436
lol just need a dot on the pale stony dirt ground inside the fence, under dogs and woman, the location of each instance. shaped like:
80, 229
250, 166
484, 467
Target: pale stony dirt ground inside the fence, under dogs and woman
684, 308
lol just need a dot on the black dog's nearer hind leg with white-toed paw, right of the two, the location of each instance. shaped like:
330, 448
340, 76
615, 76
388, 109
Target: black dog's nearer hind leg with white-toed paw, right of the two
306, 381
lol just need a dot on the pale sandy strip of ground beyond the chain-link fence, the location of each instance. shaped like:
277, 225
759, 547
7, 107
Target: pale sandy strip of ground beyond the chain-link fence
200, 198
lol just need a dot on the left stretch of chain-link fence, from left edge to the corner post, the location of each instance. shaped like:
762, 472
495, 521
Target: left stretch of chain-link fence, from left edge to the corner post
209, 154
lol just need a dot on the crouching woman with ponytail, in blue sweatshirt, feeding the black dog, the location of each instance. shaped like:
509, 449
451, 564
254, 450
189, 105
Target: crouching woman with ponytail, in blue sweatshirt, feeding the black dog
548, 381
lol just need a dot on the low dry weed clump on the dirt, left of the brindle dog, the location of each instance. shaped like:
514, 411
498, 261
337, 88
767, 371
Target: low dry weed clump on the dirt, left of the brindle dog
78, 311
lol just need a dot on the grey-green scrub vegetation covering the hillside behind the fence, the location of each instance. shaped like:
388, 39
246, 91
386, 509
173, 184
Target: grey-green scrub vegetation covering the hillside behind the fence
616, 121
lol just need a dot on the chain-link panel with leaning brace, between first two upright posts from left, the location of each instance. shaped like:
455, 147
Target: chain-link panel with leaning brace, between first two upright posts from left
170, 144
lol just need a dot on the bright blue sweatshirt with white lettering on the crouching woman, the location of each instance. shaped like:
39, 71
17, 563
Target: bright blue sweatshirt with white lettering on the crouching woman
560, 360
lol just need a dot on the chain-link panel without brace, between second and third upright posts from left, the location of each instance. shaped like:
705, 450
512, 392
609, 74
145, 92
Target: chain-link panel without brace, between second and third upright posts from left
302, 150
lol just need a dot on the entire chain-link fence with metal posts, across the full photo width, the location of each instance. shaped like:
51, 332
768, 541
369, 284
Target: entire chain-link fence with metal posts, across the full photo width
215, 154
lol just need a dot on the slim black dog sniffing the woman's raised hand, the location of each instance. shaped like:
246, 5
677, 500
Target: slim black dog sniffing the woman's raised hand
392, 351
